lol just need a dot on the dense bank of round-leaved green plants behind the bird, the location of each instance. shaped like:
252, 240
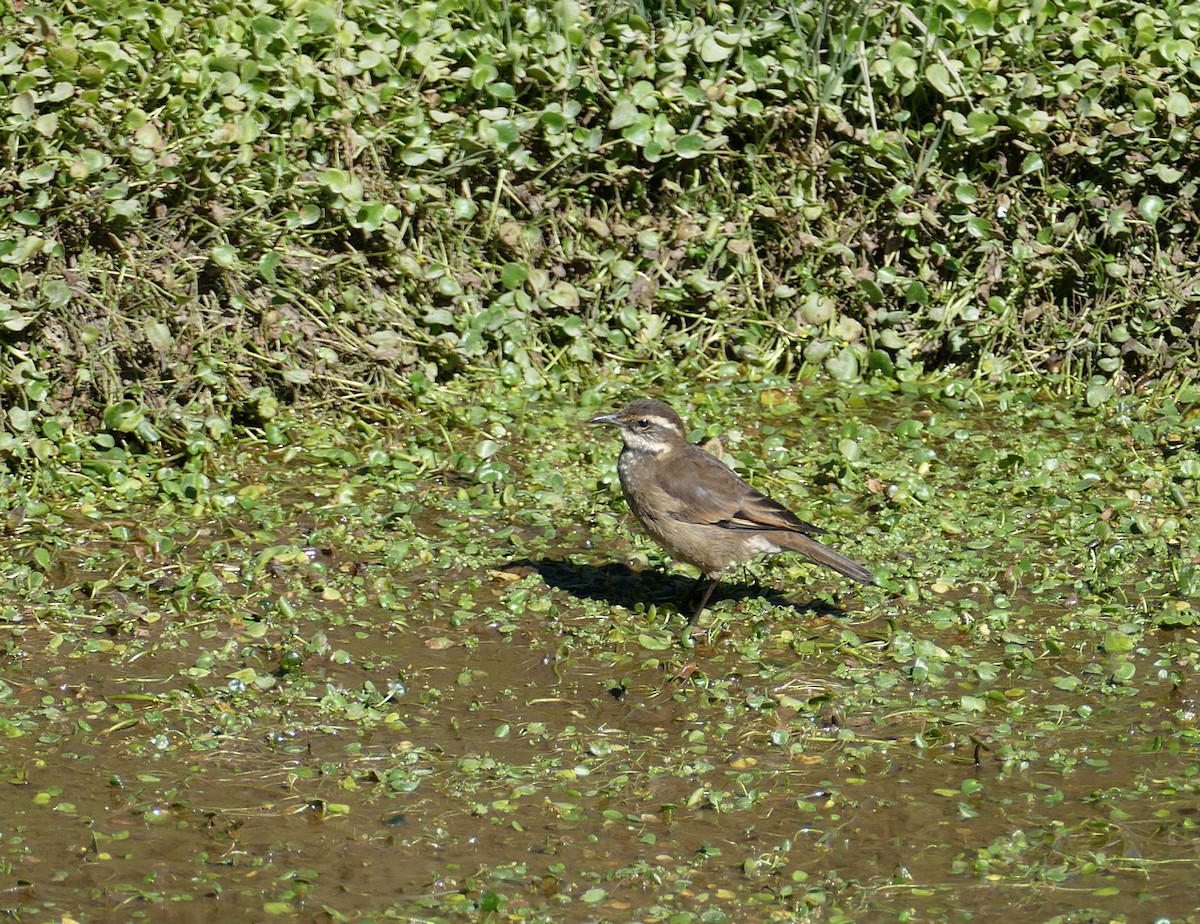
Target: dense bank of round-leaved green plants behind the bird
209, 212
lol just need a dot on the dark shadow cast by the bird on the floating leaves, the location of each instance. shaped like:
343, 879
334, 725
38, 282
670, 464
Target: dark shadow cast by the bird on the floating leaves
622, 586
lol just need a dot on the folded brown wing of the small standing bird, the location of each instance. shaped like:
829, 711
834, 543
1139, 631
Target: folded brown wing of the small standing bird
706, 493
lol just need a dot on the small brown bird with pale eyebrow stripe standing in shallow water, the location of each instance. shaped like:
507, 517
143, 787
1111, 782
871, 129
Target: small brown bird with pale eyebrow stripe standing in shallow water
698, 509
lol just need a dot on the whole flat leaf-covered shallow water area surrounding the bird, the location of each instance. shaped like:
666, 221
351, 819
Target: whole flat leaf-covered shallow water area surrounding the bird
428, 671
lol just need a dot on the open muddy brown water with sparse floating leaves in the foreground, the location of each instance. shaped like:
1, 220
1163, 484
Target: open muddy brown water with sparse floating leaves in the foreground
537, 778
